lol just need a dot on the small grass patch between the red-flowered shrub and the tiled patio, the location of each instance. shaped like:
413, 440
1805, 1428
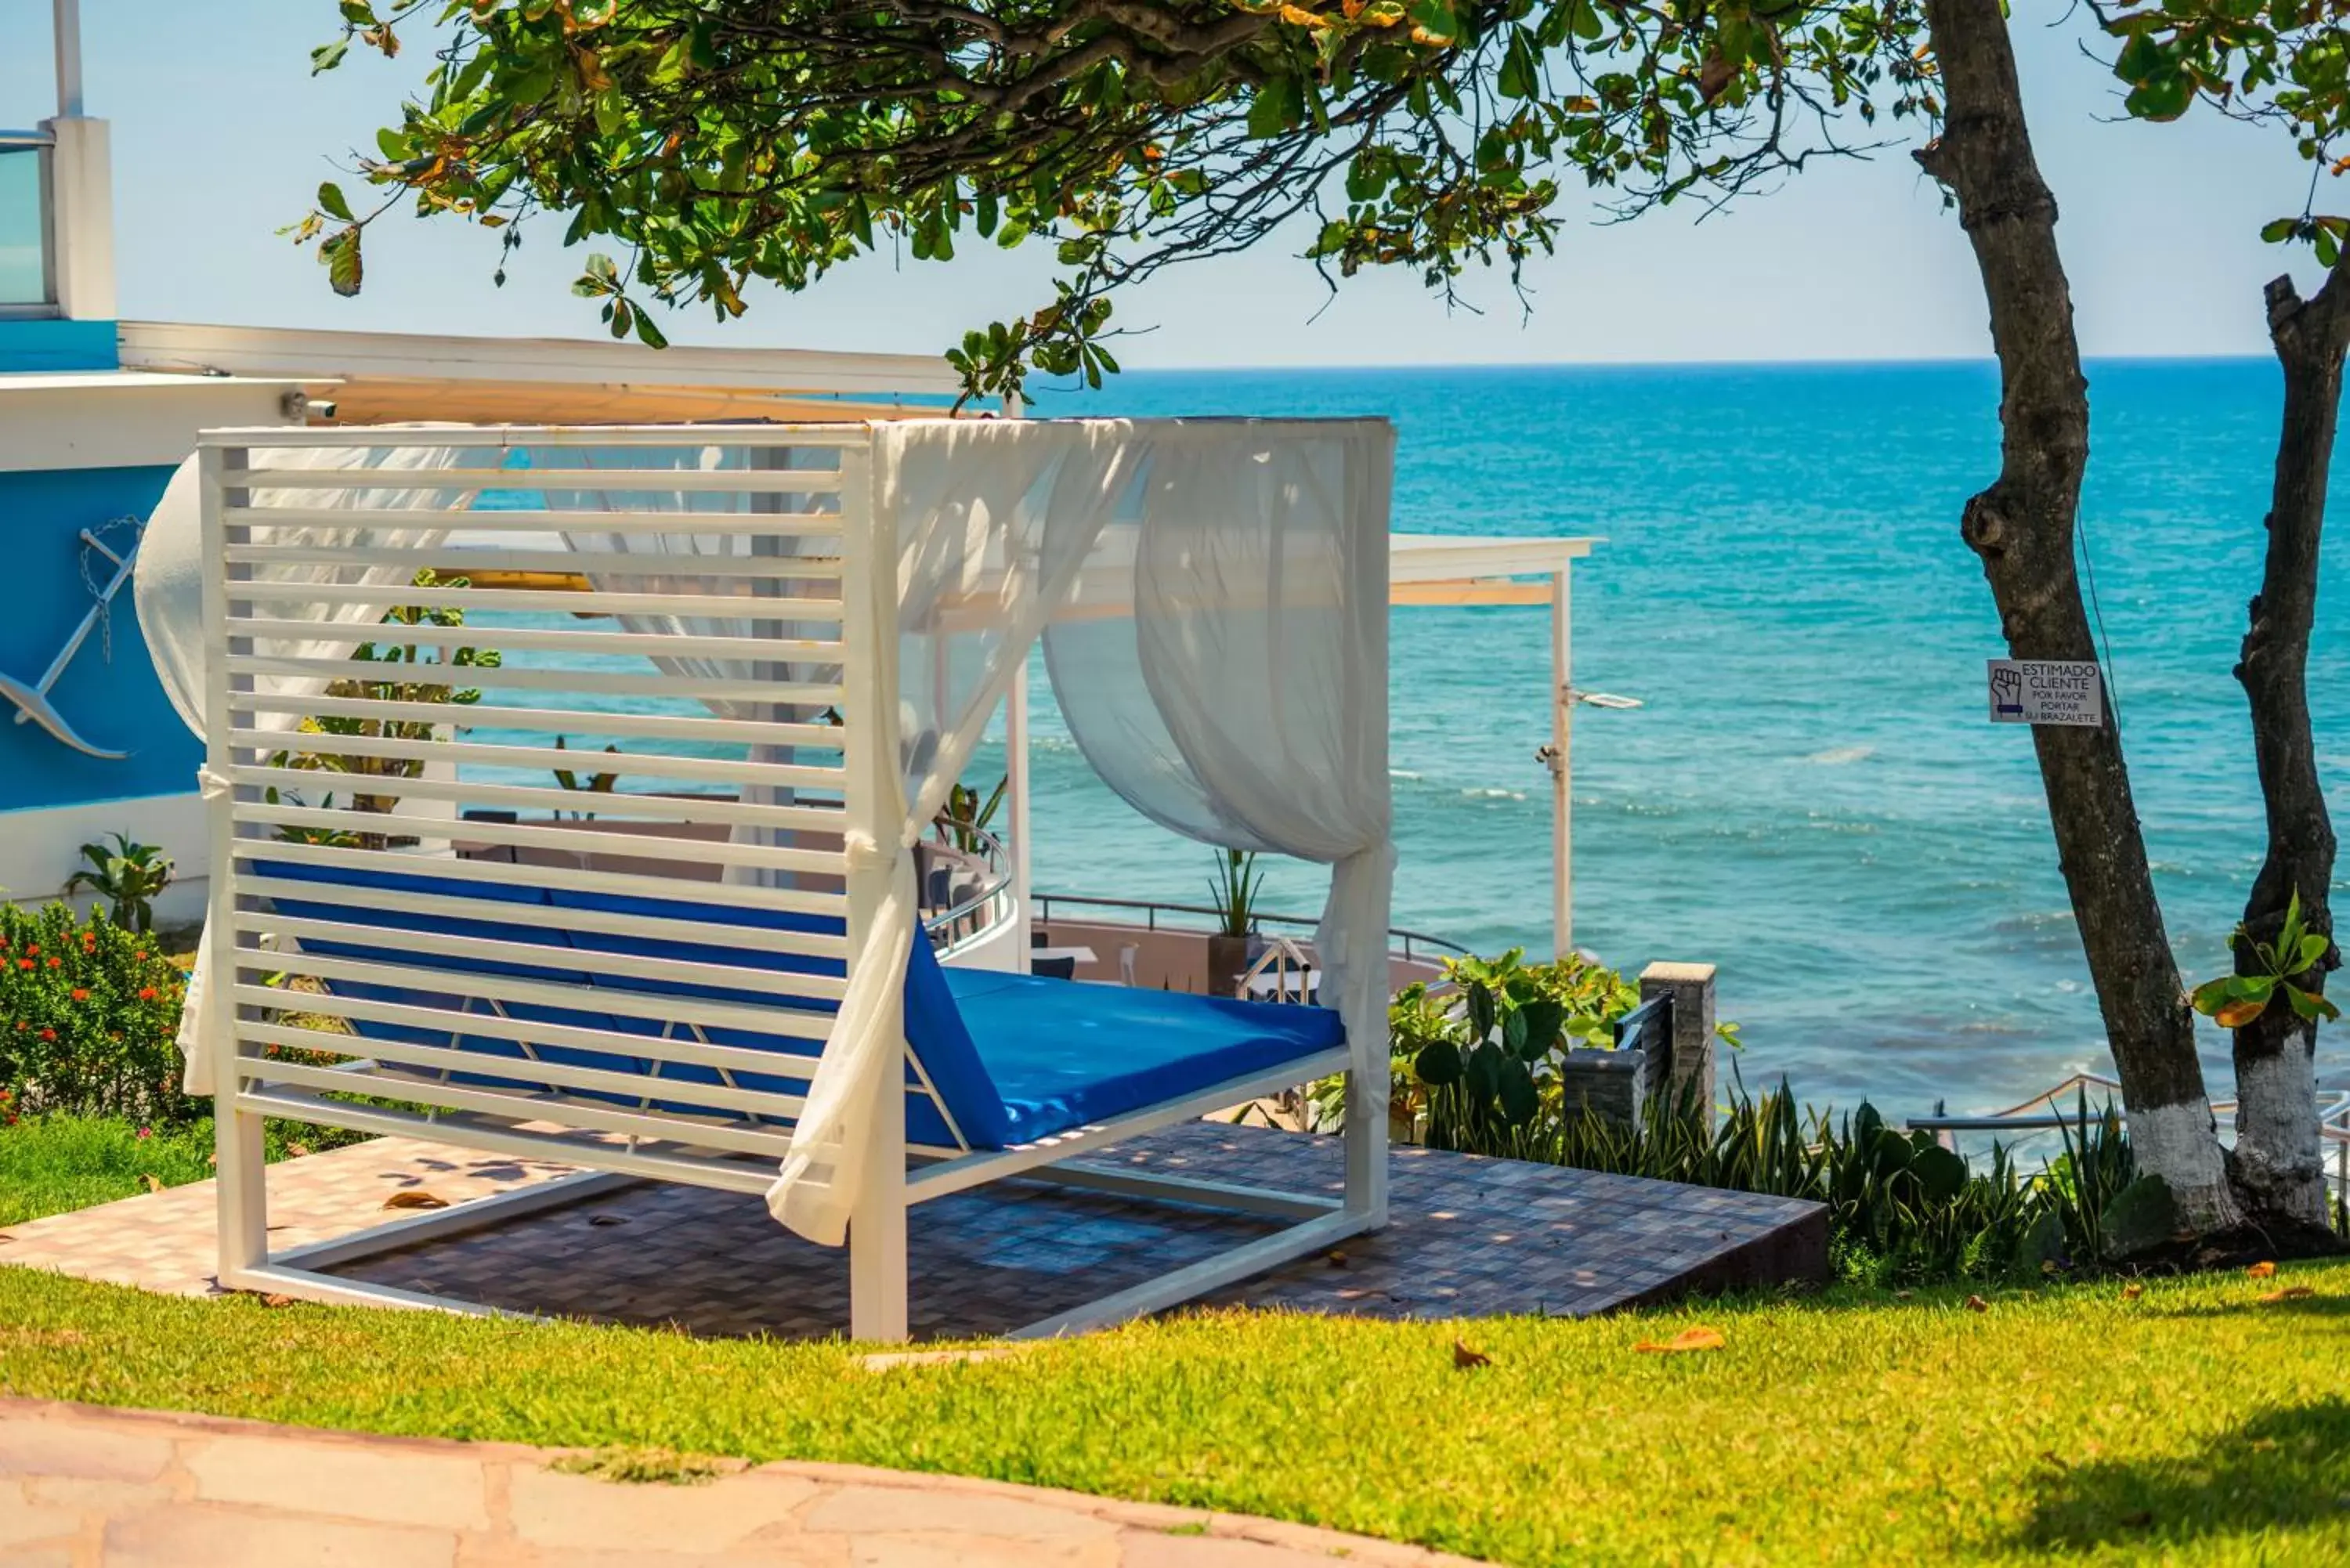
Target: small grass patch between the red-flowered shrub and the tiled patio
51, 1165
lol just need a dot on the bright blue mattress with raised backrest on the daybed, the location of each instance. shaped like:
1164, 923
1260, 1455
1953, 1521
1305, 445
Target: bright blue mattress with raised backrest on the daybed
1014, 1057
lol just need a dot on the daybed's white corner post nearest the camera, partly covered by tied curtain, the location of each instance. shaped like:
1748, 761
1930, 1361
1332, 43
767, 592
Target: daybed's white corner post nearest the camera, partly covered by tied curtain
878, 1259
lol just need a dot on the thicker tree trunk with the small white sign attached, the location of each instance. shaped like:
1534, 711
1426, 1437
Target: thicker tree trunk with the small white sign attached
2022, 530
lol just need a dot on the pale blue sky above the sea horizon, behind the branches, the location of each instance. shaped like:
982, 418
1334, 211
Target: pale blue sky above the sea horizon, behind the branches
220, 138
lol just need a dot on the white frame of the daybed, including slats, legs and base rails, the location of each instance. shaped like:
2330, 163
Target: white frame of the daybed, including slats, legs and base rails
795, 864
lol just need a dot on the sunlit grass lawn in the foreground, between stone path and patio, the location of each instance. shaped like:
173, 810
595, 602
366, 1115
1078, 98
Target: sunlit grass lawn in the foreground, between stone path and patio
2189, 1426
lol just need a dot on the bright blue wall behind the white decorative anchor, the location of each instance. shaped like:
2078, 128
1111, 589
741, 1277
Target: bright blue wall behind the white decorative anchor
116, 704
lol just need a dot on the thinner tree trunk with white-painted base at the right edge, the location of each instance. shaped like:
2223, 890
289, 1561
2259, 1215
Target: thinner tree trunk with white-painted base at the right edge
2278, 1160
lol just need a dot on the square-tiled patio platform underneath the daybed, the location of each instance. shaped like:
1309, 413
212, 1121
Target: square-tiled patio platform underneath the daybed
1470, 1238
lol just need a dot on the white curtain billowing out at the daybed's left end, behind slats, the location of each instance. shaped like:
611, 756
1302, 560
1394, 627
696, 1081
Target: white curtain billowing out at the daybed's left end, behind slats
168, 591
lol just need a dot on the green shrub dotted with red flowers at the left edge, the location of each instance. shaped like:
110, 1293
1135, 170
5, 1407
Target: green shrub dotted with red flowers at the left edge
88, 1019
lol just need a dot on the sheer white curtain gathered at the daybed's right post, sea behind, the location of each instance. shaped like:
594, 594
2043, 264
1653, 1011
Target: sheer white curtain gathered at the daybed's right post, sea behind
1244, 697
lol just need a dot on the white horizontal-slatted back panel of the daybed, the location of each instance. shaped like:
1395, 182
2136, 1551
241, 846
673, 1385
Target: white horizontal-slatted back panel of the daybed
741, 760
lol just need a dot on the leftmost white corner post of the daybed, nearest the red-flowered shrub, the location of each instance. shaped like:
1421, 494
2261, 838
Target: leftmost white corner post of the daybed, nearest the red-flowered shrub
241, 1179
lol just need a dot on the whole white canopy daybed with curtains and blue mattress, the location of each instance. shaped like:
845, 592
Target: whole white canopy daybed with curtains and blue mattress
817, 626
